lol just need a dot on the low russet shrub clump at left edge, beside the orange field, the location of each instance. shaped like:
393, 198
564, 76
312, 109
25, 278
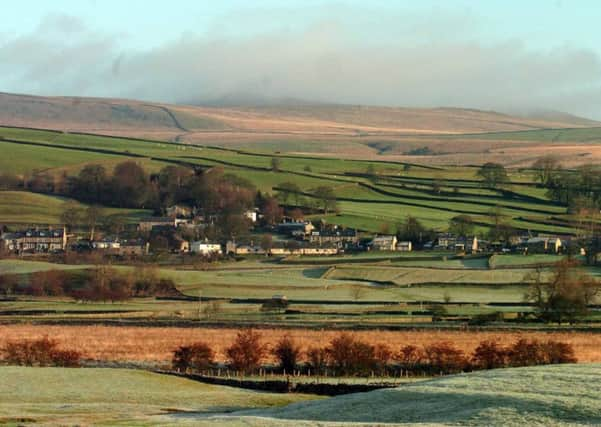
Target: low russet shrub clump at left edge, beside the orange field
40, 352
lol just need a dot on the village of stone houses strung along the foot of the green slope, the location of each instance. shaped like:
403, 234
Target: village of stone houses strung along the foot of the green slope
173, 234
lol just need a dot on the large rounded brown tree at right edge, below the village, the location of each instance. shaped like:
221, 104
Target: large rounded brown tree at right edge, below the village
565, 296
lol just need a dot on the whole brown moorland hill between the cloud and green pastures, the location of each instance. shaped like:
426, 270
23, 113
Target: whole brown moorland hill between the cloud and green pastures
443, 136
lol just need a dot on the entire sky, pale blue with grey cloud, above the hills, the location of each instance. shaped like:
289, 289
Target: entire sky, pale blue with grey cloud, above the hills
511, 56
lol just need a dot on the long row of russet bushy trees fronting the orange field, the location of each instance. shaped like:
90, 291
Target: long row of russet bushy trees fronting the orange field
347, 355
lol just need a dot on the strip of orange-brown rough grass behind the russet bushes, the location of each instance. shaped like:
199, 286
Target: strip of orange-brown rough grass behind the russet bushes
155, 344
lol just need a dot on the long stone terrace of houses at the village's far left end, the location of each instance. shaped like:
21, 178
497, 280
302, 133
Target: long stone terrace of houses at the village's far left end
35, 241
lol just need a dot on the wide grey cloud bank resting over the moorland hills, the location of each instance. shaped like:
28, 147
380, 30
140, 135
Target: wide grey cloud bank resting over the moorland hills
326, 61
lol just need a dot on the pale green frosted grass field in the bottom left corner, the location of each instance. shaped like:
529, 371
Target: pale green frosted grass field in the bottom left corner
63, 396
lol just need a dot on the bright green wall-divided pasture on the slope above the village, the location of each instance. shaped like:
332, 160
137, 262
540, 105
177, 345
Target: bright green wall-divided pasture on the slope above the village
364, 203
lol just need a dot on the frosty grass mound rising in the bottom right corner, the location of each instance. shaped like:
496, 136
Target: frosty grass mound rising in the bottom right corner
550, 395
